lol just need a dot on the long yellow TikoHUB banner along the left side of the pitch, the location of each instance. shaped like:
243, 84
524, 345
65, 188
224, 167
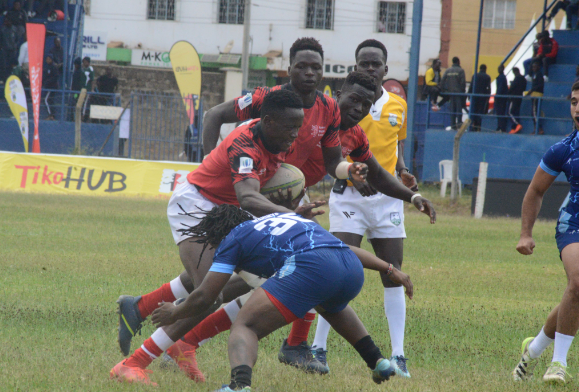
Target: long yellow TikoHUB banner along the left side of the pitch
67, 174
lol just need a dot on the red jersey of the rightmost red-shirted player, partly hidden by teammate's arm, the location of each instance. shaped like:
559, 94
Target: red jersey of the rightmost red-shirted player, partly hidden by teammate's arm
354, 143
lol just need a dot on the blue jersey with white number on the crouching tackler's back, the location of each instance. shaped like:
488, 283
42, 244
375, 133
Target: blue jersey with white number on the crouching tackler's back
263, 246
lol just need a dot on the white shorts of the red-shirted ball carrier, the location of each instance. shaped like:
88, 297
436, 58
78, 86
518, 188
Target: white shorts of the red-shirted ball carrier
187, 196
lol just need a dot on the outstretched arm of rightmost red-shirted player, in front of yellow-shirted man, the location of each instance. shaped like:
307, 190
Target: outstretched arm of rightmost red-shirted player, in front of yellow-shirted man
390, 186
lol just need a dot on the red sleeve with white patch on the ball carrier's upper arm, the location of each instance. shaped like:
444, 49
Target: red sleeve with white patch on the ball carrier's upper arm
243, 158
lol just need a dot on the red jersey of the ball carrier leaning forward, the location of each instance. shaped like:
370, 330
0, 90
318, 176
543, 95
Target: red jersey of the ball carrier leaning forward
240, 156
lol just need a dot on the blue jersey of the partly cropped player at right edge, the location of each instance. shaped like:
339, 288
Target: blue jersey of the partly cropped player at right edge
564, 157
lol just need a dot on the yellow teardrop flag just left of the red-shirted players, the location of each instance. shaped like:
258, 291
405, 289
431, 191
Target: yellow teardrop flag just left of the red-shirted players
187, 69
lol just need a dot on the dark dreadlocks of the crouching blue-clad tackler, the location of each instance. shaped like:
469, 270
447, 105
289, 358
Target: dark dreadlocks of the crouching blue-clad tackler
215, 225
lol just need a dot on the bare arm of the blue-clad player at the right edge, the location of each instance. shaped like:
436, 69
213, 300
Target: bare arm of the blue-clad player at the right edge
531, 207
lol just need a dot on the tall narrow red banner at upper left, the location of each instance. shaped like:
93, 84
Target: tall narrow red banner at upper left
35, 34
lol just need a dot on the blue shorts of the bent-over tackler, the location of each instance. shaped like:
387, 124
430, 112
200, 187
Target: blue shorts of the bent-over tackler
326, 277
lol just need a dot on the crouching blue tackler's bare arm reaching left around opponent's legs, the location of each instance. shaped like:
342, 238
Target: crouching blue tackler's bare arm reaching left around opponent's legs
197, 302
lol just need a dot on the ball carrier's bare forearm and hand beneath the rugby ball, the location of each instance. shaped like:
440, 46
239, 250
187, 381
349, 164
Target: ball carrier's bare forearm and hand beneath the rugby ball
255, 203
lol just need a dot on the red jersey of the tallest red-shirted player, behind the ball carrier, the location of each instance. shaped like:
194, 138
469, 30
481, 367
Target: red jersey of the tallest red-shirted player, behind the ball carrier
319, 129
